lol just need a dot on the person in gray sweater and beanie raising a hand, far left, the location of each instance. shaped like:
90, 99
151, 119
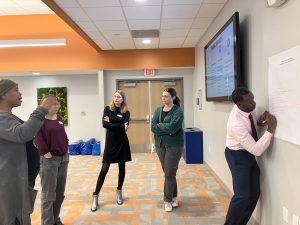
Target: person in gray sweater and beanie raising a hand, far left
17, 197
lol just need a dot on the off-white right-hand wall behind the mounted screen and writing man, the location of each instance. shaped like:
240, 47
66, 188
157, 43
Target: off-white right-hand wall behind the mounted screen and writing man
265, 32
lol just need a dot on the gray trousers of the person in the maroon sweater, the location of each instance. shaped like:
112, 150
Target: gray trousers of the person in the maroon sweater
53, 173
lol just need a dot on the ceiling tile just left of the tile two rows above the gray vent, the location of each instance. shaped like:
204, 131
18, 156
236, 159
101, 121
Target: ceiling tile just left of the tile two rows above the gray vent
105, 13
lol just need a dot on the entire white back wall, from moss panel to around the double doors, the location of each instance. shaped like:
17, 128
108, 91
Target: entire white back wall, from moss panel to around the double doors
88, 95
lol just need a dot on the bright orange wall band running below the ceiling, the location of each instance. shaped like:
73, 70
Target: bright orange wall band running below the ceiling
78, 54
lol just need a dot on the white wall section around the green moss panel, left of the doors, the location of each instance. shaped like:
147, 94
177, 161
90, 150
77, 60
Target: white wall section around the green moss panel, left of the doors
84, 109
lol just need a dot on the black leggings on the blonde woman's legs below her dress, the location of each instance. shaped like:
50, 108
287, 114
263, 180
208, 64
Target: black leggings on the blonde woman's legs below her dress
103, 172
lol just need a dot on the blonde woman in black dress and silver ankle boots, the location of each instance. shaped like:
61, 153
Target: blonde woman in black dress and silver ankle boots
116, 121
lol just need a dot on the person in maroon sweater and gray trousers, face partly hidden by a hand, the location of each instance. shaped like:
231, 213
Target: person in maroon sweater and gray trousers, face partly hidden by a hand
52, 143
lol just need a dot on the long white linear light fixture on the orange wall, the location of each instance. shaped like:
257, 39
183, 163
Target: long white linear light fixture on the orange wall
32, 43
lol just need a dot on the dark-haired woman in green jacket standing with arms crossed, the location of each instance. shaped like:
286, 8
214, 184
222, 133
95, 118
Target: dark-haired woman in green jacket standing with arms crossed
168, 133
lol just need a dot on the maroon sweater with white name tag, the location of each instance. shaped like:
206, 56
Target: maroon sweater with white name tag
52, 138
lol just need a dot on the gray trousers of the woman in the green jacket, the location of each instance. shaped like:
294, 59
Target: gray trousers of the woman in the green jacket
169, 158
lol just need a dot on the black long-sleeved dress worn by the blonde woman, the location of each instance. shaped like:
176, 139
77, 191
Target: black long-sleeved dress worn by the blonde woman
116, 142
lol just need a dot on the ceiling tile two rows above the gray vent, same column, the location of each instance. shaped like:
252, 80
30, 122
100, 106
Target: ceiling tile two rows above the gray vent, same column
142, 12
